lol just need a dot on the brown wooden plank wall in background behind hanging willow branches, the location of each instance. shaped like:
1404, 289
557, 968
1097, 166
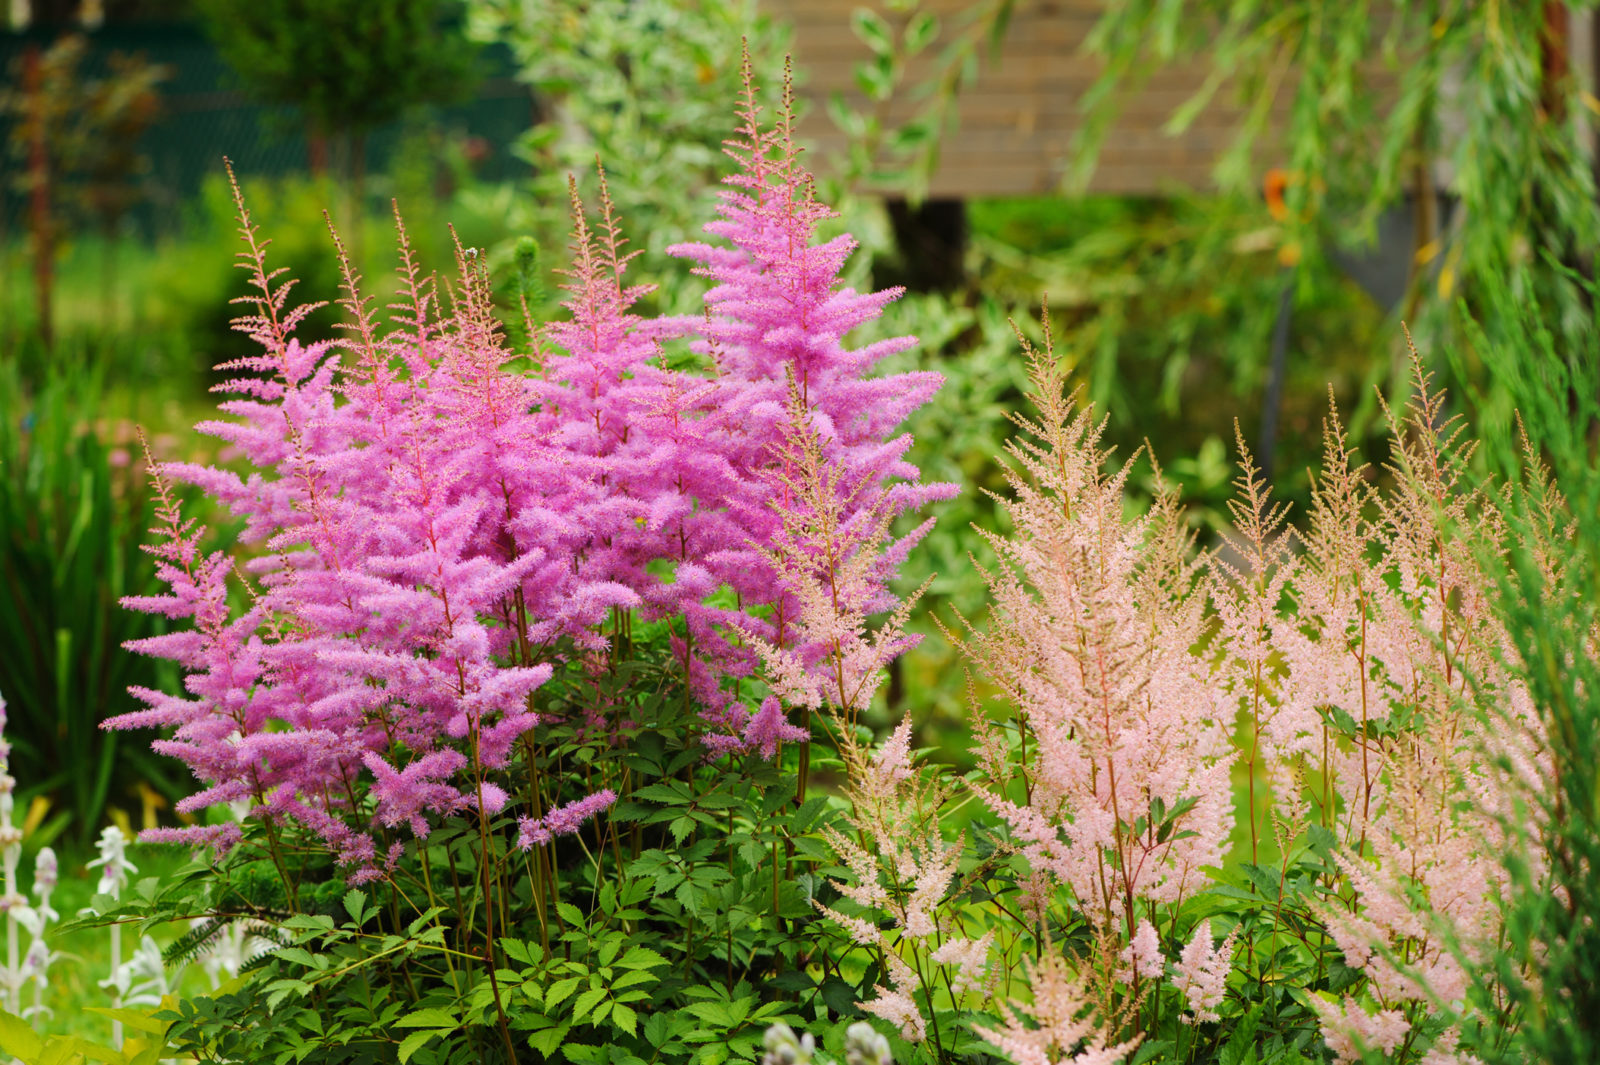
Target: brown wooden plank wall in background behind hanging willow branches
1020, 119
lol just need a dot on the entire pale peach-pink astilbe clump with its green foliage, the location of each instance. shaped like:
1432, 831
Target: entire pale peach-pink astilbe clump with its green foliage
1327, 687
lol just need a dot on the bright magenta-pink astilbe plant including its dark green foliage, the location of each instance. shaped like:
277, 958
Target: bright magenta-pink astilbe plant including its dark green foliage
495, 628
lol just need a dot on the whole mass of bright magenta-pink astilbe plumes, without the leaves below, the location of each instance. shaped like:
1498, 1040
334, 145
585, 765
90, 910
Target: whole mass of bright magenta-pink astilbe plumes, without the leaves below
434, 529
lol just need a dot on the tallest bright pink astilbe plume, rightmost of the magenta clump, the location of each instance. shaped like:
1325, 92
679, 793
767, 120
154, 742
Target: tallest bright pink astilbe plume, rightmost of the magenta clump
777, 324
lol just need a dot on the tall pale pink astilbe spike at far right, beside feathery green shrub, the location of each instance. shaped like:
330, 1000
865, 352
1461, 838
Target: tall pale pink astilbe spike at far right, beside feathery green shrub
1430, 826
